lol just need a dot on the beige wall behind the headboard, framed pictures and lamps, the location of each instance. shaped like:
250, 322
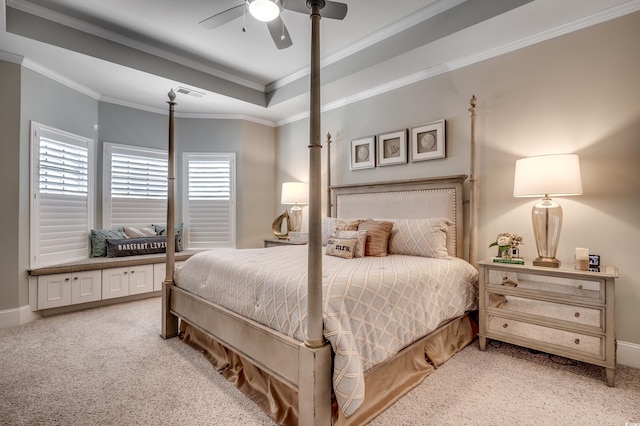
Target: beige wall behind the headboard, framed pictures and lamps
578, 93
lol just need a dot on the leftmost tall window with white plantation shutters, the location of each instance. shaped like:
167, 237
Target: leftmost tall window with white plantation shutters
60, 195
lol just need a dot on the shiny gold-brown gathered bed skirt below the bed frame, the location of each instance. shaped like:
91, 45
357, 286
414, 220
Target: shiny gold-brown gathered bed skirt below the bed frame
384, 383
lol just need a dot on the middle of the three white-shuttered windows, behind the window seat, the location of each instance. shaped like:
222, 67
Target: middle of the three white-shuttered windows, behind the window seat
134, 187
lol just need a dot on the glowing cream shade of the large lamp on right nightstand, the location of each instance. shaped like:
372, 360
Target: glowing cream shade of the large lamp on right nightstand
553, 175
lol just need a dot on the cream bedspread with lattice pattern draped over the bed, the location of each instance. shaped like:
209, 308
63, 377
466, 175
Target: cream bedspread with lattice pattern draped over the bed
372, 306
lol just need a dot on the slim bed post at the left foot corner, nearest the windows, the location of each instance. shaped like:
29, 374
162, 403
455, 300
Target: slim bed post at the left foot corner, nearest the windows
170, 321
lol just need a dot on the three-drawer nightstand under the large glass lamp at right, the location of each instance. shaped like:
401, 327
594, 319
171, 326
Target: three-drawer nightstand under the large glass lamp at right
559, 311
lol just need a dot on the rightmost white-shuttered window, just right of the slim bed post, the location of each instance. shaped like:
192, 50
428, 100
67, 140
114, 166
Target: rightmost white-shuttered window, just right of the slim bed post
209, 200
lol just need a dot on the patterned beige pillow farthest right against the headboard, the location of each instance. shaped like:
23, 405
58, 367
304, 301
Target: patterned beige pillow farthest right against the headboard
420, 237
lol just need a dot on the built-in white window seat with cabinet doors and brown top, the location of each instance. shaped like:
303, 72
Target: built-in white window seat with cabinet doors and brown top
98, 281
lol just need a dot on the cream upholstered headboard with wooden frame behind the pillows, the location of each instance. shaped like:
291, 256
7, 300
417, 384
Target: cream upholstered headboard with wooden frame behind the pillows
414, 199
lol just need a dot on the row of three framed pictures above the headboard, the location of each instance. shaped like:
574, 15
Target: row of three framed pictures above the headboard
426, 142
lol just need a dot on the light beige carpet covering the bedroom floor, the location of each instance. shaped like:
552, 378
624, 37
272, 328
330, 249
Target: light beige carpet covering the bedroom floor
108, 366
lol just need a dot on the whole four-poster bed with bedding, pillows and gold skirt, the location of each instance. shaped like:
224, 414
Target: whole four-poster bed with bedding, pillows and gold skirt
322, 339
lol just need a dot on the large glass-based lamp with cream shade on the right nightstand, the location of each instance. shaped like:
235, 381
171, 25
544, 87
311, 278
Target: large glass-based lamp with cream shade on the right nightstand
547, 175
